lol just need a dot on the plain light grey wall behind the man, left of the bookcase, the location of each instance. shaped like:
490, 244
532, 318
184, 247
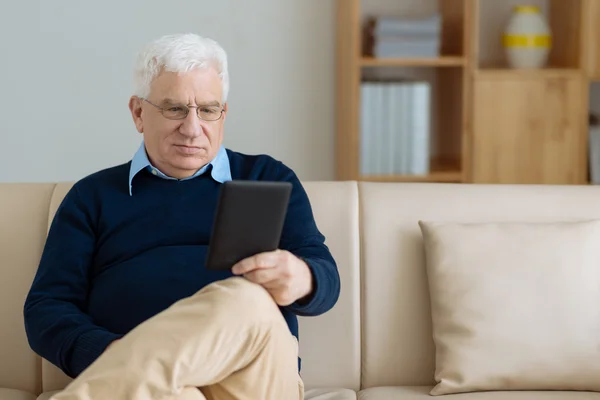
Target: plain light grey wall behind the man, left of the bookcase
65, 79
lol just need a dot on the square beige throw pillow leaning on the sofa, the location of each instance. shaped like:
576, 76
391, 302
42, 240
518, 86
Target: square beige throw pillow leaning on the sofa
514, 305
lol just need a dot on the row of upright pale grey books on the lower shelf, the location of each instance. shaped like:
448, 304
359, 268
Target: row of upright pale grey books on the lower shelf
395, 128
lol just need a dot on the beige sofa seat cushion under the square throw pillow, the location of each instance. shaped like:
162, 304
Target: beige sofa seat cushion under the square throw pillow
422, 393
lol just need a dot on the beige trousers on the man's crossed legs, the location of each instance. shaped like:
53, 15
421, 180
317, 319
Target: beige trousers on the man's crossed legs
229, 341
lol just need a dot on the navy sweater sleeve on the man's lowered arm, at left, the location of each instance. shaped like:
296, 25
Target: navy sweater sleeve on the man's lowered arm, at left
57, 327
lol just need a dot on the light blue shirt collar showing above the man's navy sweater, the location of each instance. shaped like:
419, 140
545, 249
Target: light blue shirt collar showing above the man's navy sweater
221, 171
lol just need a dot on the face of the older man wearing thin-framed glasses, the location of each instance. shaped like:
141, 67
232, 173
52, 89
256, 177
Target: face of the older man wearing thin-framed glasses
179, 148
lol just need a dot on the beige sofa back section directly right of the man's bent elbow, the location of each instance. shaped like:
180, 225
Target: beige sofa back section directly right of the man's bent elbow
333, 359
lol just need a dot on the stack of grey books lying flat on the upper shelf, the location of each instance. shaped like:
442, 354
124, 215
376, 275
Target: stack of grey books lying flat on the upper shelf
396, 37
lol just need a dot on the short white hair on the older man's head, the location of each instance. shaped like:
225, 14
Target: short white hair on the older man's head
179, 53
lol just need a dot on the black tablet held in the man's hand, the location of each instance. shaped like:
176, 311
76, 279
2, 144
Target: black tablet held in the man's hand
249, 220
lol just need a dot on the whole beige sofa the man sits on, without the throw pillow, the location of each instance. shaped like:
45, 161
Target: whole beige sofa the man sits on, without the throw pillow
377, 342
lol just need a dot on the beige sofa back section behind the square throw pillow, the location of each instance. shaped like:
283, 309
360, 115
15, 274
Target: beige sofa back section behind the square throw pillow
397, 344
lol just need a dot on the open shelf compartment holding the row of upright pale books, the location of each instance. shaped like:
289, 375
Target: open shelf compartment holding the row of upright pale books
445, 128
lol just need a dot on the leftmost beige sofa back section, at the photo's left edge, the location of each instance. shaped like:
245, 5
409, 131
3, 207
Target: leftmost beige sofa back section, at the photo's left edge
23, 219
